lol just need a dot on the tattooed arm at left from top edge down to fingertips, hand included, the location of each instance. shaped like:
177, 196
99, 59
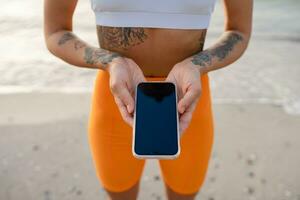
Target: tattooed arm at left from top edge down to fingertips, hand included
124, 73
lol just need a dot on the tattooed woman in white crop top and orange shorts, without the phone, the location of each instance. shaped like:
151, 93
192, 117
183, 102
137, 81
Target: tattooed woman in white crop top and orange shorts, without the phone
149, 40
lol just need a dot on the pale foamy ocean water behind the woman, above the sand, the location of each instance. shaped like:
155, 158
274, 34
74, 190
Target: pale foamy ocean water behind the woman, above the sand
268, 72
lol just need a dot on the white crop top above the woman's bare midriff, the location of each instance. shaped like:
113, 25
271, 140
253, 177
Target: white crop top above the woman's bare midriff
179, 14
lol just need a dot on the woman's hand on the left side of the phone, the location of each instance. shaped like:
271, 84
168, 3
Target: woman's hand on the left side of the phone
125, 74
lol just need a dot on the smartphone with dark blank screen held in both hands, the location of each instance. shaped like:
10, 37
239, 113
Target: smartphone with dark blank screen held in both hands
155, 126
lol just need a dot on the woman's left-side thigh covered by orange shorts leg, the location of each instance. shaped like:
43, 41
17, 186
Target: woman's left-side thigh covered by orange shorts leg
110, 141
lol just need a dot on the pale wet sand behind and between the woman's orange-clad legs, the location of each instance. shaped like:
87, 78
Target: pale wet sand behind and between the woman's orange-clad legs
44, 153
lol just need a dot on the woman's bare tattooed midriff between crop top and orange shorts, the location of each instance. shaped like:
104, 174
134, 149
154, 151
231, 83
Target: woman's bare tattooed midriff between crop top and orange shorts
155, 50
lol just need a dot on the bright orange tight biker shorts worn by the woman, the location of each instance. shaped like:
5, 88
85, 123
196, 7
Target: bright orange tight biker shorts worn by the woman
110, 140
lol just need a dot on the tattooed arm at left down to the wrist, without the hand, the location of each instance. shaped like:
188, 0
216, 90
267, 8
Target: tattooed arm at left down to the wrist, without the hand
63, 43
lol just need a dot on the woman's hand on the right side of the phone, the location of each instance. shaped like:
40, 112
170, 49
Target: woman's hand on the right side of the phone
186, 77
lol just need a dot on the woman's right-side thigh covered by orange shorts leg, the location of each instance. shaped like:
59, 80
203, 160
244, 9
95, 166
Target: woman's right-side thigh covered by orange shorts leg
186, 173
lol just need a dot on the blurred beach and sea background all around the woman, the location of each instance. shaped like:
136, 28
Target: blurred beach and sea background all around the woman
45, 102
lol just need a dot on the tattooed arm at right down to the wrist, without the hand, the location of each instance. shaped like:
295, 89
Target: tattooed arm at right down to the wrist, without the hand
233, 42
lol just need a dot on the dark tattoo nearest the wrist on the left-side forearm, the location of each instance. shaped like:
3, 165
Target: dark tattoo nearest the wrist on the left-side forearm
96, 56
